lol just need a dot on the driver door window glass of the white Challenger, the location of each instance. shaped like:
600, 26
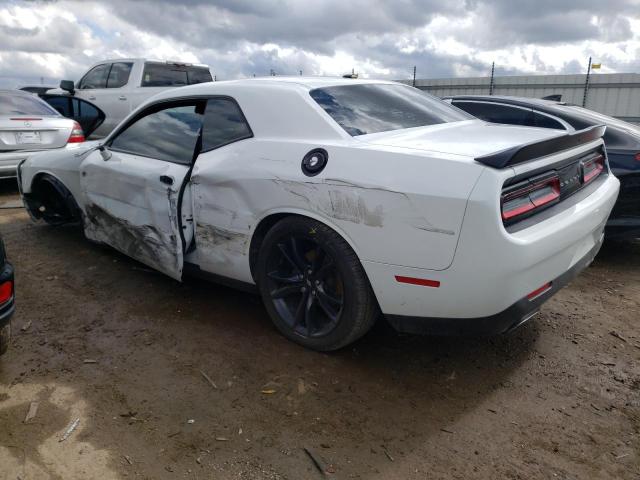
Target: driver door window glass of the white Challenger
168, 134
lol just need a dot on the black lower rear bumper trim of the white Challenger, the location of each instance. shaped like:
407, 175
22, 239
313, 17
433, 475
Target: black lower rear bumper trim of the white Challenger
505, 321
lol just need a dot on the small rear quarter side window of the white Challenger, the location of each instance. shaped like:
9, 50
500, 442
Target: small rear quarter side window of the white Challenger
223, 123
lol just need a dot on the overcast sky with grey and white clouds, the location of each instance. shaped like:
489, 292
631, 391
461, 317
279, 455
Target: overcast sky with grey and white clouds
238, 38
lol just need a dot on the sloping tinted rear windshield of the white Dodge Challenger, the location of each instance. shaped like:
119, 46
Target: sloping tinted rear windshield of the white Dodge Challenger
371, 108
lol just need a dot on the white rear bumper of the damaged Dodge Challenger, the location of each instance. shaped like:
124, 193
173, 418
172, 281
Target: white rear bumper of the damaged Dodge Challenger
493, 269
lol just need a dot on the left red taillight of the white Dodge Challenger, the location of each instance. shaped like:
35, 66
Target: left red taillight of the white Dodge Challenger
525, 198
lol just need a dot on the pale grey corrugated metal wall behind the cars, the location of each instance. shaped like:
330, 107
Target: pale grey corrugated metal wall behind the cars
615, 94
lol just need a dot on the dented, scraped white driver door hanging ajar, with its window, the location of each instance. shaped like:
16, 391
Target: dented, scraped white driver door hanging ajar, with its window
137, 196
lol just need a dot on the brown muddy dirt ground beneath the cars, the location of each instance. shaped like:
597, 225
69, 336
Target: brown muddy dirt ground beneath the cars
102, 339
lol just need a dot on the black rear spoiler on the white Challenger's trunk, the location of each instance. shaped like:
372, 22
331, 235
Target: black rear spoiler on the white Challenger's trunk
529, 151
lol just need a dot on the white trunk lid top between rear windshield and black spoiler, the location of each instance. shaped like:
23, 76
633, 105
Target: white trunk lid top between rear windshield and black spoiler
471, 138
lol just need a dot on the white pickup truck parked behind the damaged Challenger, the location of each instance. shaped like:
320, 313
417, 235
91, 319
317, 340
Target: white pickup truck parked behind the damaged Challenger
117, 87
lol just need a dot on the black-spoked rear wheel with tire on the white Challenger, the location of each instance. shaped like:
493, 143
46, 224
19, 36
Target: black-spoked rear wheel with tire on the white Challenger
313, 285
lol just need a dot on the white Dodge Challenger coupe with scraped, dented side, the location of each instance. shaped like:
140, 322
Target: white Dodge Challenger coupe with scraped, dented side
337, 200
